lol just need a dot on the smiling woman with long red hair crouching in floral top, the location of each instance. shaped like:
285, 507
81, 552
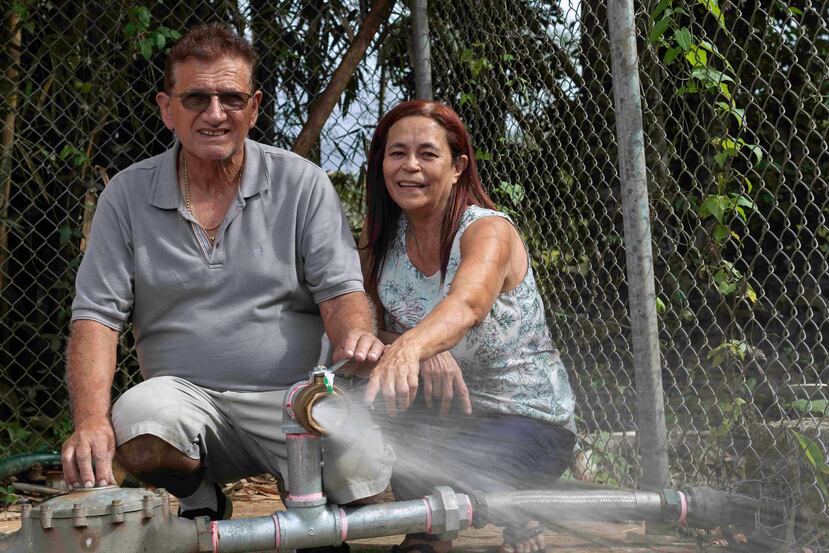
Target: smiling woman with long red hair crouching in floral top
461, 313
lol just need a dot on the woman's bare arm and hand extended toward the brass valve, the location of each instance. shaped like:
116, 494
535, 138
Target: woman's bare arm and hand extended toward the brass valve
493, 259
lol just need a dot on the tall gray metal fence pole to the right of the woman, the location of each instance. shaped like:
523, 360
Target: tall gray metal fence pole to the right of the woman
650, 409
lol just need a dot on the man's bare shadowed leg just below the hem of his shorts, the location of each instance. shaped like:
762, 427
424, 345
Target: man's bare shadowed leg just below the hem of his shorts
147, 454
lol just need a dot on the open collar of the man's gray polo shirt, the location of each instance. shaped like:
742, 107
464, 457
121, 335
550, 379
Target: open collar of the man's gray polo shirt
165, 192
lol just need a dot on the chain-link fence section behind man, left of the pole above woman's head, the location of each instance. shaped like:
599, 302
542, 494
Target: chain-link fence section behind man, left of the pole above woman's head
78, 87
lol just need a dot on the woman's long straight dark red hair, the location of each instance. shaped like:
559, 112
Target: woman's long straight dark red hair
383, 215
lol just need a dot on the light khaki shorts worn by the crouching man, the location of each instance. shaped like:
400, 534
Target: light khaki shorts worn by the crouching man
239, 434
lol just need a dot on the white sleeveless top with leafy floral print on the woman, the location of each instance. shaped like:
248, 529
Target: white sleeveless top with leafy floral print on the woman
508, 360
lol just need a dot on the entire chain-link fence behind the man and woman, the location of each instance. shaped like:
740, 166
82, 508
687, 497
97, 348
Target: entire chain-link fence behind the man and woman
735, 102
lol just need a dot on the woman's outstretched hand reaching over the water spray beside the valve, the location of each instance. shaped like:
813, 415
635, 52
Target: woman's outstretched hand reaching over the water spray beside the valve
395, 375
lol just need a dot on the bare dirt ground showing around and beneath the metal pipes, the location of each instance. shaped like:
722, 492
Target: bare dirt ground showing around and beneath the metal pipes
259, 496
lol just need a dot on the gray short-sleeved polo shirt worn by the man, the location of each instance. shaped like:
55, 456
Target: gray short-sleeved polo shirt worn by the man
243, 316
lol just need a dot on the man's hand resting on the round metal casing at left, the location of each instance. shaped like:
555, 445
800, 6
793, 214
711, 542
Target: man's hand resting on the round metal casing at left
93, 440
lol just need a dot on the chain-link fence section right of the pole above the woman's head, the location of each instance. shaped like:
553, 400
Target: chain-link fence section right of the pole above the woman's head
736, 109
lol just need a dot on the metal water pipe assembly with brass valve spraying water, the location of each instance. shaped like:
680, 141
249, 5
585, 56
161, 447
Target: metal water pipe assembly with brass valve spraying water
136, 521
